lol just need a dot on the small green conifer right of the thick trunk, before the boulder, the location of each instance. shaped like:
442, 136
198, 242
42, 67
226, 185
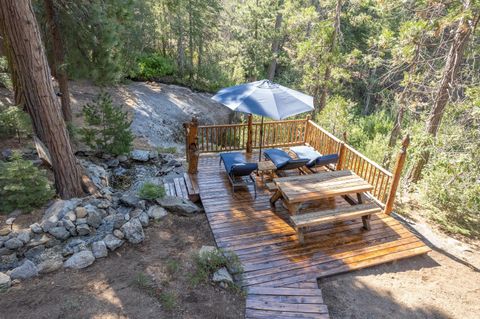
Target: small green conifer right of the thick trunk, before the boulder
108, 127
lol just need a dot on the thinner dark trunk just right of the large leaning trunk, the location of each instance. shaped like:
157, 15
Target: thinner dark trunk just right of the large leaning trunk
58, 59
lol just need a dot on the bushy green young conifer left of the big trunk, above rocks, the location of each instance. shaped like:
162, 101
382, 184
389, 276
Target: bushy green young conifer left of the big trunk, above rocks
22, 185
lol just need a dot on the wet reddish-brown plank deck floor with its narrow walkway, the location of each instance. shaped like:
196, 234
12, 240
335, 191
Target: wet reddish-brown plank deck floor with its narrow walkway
280, 275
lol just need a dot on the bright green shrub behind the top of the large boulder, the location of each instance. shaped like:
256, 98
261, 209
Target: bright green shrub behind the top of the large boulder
154, 66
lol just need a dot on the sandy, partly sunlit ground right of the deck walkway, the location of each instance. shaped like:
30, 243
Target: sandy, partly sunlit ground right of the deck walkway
431, 286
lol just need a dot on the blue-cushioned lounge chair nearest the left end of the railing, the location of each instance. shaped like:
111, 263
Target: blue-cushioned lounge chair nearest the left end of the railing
239, 171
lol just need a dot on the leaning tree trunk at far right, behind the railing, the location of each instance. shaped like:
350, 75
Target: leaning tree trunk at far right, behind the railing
447, 83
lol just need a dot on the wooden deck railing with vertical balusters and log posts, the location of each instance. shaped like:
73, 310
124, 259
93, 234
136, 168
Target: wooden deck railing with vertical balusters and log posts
219, 138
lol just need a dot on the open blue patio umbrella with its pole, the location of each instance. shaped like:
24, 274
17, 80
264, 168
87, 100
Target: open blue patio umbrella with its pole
266, 99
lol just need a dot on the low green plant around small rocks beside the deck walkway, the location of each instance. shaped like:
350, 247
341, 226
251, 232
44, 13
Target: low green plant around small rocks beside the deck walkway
209, 262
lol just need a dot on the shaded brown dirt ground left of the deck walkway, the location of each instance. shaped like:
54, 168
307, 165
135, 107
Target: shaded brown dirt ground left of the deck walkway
142, 281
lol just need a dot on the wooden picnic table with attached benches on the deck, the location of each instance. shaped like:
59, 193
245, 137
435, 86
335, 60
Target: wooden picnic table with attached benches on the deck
297, 190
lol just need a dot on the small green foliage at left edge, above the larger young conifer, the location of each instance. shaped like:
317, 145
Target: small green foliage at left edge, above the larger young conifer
14, 122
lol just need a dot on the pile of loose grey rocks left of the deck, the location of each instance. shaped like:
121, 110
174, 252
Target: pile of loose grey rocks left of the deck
73, 233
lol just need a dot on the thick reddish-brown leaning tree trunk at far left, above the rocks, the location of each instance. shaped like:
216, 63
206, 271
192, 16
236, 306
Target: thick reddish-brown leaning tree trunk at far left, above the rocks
28, 58
